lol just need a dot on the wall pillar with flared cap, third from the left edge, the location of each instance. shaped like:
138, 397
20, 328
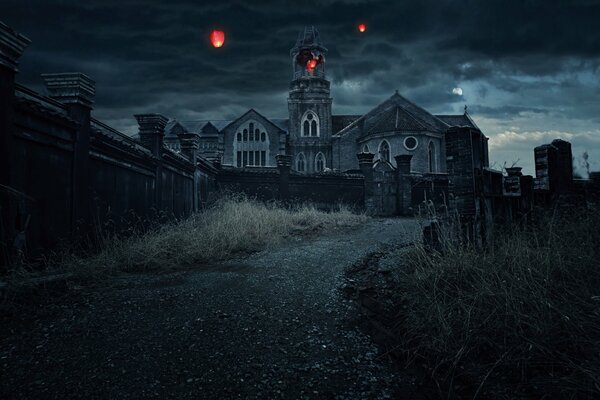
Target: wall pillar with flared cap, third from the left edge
152, 133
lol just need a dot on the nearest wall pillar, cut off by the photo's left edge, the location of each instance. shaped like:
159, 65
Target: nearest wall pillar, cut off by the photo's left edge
12, 45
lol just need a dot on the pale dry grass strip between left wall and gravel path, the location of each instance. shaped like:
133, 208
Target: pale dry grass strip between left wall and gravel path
232, 226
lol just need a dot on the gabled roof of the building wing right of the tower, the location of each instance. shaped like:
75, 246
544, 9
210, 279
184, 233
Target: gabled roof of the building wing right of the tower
409, 110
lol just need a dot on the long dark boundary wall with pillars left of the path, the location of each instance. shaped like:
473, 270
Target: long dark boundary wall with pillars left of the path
66, 176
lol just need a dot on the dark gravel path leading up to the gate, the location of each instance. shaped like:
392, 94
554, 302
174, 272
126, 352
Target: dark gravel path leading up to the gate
272, 325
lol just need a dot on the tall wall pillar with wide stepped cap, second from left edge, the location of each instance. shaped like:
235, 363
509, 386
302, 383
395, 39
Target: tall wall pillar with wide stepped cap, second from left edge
77, 91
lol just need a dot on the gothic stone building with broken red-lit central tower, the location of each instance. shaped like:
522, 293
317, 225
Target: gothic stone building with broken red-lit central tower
316, 140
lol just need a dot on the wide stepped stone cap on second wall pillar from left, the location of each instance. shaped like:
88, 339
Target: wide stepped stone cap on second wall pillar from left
71, 88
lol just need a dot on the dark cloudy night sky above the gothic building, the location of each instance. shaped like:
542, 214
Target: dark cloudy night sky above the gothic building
529, 70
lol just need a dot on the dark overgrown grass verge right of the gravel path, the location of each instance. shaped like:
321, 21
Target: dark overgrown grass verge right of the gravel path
521, 318
